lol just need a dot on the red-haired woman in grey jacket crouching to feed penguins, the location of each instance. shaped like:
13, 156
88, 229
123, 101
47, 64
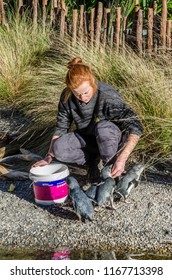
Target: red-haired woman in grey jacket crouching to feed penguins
103, 123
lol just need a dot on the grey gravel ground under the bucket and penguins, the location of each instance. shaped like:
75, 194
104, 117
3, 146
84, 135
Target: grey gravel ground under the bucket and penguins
145, 224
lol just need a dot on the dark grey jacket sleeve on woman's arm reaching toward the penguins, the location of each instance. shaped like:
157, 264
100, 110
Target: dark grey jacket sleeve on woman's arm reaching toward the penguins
121, 114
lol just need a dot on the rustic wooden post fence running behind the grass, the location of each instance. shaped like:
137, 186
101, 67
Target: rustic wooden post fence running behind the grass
94, 28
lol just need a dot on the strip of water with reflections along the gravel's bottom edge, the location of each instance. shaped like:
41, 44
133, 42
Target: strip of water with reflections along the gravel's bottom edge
64, 253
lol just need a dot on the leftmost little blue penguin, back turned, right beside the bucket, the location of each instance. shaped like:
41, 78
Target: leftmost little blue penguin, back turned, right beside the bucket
82, 204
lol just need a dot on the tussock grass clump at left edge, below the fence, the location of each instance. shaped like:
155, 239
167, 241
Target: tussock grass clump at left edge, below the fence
21, 47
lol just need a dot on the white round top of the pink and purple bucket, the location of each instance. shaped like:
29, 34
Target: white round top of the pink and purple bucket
50, 172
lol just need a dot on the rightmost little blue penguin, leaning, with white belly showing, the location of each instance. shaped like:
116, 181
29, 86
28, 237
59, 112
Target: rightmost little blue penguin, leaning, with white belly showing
130, 180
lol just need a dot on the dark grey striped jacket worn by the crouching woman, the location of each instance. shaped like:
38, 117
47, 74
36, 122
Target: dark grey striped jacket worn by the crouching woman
106, 104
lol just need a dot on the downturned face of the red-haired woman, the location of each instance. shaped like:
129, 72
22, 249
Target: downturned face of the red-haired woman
84, 92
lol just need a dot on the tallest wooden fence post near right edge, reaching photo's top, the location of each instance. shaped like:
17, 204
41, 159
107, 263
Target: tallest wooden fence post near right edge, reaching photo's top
163, 23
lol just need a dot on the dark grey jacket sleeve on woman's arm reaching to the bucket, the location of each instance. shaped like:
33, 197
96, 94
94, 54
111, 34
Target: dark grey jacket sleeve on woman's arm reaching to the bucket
63, 117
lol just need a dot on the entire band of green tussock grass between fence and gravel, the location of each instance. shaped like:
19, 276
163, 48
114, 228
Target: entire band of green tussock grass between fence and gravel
32, 73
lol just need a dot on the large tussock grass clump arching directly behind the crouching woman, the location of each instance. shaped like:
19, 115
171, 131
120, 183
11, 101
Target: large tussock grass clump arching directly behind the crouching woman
143, 83
